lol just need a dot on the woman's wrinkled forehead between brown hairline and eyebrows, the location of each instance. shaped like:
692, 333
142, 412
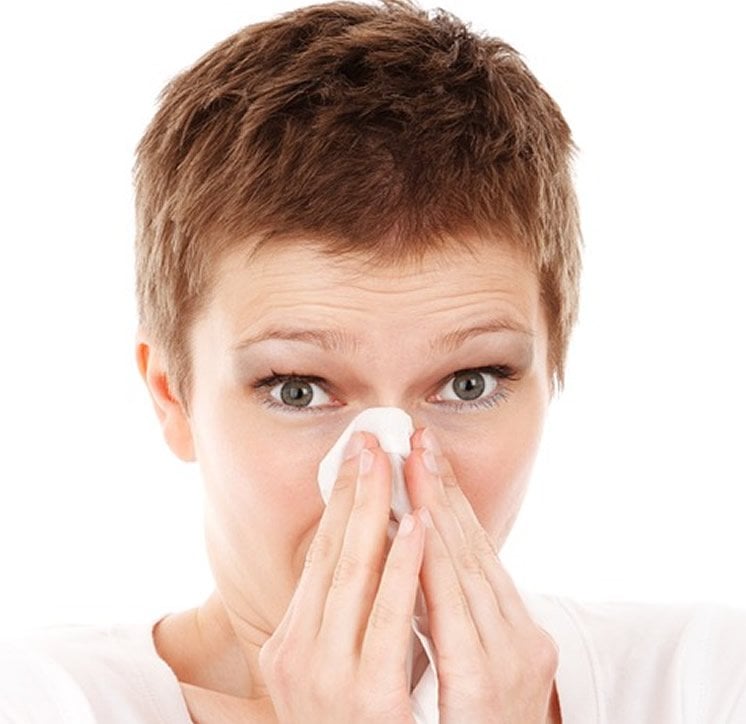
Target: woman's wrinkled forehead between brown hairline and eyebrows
297, 280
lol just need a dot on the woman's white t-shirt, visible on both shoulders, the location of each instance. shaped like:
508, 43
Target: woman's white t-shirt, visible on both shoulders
620, 663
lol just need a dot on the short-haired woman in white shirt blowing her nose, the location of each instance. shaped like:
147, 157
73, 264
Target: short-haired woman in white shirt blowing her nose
349, 207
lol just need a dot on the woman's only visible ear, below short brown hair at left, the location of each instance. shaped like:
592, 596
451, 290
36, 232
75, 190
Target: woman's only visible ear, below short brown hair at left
174, 421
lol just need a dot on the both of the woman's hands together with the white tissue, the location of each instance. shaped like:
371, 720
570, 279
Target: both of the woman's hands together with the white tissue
332, 658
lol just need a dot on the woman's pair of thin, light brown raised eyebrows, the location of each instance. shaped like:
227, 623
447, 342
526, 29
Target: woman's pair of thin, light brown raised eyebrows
335, 340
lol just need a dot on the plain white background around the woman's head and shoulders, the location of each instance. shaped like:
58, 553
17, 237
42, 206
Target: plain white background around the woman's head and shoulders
640, 488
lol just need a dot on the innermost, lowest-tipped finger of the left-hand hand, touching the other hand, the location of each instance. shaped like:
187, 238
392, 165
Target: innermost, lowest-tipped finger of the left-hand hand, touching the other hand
387, 635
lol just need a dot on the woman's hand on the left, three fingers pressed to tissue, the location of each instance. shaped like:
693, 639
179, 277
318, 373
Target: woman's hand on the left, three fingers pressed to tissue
340, 652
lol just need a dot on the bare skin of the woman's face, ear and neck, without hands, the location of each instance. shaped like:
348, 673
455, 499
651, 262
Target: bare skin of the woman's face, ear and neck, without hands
259, 464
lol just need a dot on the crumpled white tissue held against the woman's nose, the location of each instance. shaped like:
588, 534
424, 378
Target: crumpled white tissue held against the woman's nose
393, 427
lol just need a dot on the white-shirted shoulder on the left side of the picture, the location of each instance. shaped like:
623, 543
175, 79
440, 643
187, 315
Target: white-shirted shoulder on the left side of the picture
87, 674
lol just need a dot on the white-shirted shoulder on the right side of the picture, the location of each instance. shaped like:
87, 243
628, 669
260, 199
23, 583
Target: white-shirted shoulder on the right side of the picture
646, 661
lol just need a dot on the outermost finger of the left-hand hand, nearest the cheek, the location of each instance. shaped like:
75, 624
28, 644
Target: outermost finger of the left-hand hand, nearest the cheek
321, 558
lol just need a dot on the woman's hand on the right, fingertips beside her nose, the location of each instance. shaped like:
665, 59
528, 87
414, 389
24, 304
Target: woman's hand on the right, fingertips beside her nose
494, 663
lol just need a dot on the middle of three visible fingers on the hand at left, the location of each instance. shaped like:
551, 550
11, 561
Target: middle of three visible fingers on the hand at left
361, 560
